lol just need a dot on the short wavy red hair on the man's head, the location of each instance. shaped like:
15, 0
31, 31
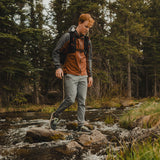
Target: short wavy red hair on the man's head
86, 17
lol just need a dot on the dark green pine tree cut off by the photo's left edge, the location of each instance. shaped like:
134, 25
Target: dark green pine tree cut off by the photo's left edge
14, 66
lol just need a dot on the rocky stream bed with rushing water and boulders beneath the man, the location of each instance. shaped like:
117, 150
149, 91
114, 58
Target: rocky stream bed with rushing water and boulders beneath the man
26, 136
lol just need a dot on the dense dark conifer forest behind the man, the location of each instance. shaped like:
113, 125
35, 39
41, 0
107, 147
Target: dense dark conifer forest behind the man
126, 48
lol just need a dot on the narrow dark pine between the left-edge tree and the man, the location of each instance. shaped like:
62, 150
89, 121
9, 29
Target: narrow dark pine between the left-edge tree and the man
34, 45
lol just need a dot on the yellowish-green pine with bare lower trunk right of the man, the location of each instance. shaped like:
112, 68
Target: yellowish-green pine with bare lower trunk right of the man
128, 28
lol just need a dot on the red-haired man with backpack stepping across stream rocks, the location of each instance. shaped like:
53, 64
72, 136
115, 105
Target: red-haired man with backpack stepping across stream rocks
72, 57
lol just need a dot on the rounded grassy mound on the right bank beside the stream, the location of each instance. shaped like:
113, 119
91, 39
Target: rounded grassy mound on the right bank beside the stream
148, 114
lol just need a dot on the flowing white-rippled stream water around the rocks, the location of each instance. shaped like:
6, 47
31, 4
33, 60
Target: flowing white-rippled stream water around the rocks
13, 128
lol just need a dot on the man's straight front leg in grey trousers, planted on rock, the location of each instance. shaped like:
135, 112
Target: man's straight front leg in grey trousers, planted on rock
81, 97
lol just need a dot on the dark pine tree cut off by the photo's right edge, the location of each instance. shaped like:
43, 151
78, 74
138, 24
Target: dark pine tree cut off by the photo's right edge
152, 48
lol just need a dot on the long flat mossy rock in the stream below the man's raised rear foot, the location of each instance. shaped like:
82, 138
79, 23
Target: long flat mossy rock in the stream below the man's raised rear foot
41, 134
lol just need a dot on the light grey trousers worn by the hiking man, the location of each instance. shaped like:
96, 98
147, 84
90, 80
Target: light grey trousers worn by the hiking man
75, 86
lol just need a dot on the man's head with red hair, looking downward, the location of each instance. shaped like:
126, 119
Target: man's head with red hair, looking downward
85, 22
